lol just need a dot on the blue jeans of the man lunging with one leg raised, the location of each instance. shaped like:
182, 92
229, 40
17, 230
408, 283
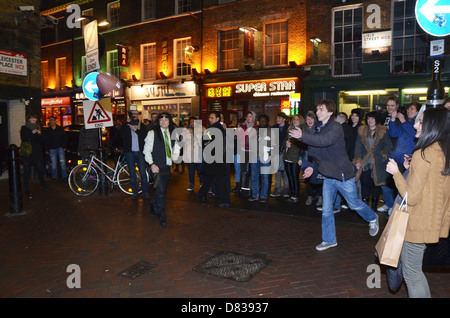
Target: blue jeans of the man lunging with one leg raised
348, 191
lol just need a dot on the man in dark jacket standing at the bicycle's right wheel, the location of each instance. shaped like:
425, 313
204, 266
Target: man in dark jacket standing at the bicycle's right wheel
133, 135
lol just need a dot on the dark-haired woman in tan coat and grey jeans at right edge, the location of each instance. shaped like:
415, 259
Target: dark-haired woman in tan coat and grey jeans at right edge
427, 188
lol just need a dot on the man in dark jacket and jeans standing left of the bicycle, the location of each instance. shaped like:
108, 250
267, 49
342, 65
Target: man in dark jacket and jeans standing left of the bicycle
55, 139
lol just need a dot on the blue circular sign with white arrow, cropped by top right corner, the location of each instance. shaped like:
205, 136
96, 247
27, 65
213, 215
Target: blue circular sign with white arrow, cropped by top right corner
434, 16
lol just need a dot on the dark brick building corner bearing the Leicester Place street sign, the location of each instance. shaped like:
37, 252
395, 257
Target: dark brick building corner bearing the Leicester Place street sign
19, 69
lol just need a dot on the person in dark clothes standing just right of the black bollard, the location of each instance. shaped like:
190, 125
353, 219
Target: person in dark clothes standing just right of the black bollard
31, 132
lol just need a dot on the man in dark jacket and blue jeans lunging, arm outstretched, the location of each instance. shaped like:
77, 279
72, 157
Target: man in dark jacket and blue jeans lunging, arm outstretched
327, 146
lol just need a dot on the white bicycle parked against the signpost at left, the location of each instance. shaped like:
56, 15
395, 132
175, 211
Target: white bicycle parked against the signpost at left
84, 178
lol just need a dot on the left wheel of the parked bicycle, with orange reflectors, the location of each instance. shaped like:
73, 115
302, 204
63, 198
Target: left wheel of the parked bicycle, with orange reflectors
83, 181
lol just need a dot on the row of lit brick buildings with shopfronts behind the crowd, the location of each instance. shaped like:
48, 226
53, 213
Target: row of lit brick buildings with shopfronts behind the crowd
263, 56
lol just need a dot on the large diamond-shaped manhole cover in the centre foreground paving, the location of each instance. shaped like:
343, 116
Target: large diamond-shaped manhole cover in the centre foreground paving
232, 265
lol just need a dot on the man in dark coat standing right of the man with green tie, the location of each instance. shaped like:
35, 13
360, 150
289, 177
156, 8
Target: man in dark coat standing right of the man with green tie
215, 171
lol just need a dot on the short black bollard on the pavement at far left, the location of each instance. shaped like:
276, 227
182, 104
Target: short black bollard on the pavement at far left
15, 186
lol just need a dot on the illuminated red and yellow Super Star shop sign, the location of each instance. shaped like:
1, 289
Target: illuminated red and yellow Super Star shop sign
249, 89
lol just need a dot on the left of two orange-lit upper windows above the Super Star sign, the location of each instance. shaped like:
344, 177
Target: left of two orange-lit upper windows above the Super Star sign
229, 49
